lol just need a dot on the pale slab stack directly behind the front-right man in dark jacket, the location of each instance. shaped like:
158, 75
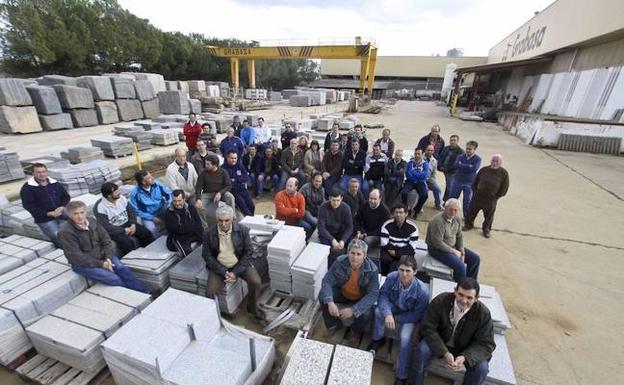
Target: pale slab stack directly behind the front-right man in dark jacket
488, 295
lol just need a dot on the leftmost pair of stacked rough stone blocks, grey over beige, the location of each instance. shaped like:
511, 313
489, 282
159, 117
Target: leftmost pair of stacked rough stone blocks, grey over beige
17, 115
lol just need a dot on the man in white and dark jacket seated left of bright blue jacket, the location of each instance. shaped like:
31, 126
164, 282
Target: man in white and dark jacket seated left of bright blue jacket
115, 214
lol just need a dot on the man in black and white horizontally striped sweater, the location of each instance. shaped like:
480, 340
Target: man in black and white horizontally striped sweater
398, 238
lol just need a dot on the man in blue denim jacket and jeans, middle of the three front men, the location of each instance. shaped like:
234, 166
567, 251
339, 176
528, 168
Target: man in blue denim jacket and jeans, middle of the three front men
403, 299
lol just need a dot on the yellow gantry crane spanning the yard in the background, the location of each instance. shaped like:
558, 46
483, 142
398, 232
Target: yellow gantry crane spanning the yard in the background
366, 53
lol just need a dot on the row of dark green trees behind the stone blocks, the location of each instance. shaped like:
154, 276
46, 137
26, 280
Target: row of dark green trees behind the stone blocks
81, 37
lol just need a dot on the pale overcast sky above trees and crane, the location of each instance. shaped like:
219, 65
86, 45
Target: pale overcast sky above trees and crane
400, 27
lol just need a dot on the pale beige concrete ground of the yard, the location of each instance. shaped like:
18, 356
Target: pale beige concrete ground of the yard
555, 254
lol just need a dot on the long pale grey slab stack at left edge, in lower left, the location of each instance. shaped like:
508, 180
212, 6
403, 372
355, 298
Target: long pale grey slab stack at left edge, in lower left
28, 293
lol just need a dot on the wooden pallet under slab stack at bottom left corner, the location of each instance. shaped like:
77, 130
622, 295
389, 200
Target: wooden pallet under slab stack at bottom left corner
47, 371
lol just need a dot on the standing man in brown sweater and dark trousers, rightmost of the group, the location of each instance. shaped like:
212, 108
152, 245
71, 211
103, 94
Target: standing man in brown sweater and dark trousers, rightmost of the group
490, 184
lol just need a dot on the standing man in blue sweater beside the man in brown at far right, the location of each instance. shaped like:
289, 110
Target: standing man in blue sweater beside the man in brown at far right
466, 167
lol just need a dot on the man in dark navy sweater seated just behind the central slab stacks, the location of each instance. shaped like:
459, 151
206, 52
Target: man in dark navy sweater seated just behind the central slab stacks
335, 225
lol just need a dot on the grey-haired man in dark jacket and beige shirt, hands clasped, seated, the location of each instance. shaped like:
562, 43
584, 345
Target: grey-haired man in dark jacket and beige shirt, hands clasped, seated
227, 252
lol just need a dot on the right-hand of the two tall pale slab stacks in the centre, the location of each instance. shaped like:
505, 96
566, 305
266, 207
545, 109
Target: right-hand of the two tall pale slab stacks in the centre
308, 271
